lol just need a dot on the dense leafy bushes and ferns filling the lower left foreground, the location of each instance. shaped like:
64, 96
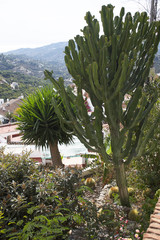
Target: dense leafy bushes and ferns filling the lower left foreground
38, 203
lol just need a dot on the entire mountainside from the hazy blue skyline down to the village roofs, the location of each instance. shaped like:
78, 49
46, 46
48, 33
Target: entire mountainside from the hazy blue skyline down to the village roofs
26, 67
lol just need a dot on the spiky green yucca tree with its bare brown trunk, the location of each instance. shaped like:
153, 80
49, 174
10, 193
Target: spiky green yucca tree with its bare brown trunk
39, 124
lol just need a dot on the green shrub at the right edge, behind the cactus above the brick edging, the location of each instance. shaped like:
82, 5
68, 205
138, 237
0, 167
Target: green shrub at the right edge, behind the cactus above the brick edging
148, 166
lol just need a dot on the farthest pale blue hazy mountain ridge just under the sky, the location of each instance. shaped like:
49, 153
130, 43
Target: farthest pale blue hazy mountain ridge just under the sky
50, 53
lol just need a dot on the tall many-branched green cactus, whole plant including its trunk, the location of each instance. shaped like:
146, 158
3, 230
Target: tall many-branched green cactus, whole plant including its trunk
108, 67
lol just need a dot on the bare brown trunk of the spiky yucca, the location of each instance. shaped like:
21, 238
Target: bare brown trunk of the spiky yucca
55, 155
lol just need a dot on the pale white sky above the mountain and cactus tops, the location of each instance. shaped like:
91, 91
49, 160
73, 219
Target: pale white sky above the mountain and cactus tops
34, 23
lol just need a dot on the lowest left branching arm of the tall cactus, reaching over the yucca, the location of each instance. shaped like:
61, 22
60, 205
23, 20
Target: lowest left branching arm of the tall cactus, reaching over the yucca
84, 132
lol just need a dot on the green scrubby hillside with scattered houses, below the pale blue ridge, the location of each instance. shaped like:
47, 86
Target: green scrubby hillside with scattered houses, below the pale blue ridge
27, 72
